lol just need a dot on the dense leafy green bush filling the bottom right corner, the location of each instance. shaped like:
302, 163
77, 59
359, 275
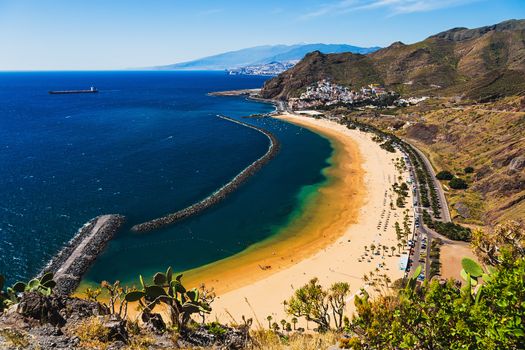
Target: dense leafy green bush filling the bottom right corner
439, 315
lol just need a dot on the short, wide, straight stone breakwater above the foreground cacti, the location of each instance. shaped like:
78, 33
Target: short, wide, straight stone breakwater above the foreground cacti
70, 264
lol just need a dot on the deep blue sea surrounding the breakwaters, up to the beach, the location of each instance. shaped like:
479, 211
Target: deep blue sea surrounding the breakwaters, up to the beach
149, 143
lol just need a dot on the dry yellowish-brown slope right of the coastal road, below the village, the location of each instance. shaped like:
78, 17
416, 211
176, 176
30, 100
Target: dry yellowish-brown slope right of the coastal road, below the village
489, 137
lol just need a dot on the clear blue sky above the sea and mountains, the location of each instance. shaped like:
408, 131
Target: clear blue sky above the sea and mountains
122, 34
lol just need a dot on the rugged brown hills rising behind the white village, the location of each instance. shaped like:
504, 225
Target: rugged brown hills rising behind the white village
481, 63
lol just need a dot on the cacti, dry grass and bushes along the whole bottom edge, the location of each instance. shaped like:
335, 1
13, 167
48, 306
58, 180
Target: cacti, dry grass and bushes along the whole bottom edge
485, 311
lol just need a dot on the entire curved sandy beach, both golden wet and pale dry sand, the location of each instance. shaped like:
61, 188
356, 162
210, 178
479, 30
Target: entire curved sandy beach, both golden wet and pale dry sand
352, 212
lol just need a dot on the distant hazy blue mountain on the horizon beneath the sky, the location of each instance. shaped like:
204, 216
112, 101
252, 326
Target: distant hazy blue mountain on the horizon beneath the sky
262, 55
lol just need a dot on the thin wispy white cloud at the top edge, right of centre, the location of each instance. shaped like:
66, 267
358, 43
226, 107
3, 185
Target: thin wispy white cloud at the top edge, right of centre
393, 7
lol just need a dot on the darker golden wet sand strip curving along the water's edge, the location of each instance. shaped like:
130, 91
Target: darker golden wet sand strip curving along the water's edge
322, 220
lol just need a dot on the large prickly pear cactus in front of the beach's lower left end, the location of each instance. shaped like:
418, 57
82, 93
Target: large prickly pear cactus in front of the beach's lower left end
182, 303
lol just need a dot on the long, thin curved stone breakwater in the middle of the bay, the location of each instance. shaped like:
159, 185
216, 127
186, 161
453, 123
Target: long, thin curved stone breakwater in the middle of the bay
222, 192
